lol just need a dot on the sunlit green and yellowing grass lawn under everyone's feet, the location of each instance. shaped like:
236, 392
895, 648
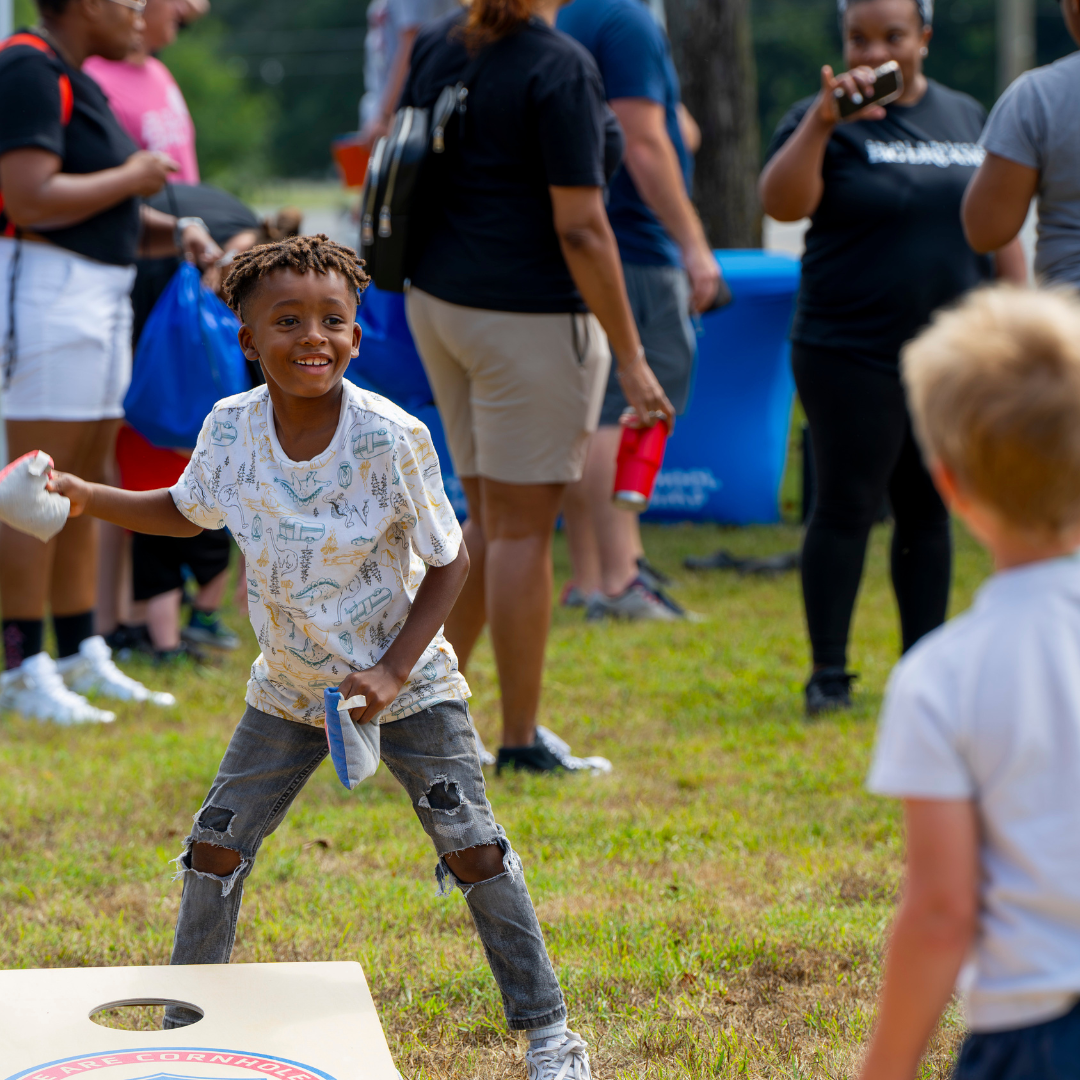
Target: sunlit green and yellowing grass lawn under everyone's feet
715, 908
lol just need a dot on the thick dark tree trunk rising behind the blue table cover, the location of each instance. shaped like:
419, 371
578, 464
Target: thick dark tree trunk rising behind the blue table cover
711, 44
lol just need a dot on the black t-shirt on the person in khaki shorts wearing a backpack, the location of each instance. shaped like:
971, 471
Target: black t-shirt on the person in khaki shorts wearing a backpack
536, 117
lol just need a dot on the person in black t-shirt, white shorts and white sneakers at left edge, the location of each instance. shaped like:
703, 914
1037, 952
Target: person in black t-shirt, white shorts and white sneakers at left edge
71, 227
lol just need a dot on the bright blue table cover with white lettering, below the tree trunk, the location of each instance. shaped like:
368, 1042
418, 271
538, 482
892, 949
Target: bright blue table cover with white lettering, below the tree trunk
726, 461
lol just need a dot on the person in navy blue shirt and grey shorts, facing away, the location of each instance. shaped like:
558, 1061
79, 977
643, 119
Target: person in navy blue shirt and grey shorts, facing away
670, 273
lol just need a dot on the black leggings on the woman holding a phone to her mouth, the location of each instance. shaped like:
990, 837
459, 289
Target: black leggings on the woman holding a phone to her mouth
865, 448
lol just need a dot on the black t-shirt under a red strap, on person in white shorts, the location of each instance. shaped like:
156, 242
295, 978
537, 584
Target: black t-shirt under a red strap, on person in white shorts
34, 103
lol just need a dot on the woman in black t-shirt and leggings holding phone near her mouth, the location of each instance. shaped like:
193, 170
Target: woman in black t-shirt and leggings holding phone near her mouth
885, 250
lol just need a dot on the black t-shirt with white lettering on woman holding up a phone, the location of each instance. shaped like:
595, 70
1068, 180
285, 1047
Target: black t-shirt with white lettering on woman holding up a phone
886, 247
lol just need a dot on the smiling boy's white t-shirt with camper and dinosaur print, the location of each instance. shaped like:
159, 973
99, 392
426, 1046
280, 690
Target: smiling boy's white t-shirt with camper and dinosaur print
335, 547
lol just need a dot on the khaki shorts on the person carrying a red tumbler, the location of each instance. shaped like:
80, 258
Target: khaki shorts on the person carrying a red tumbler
519, 395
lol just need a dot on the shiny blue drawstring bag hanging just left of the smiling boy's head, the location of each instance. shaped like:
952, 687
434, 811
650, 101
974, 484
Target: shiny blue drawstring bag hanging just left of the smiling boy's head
187, 360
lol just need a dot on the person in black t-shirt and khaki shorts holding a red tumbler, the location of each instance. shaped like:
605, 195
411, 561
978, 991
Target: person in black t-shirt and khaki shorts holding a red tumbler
517, 251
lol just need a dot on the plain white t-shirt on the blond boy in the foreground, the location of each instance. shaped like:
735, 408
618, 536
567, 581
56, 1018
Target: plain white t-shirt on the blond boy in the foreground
988, 709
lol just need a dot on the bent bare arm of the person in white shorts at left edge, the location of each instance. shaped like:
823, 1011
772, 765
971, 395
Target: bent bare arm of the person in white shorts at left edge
38, 196
